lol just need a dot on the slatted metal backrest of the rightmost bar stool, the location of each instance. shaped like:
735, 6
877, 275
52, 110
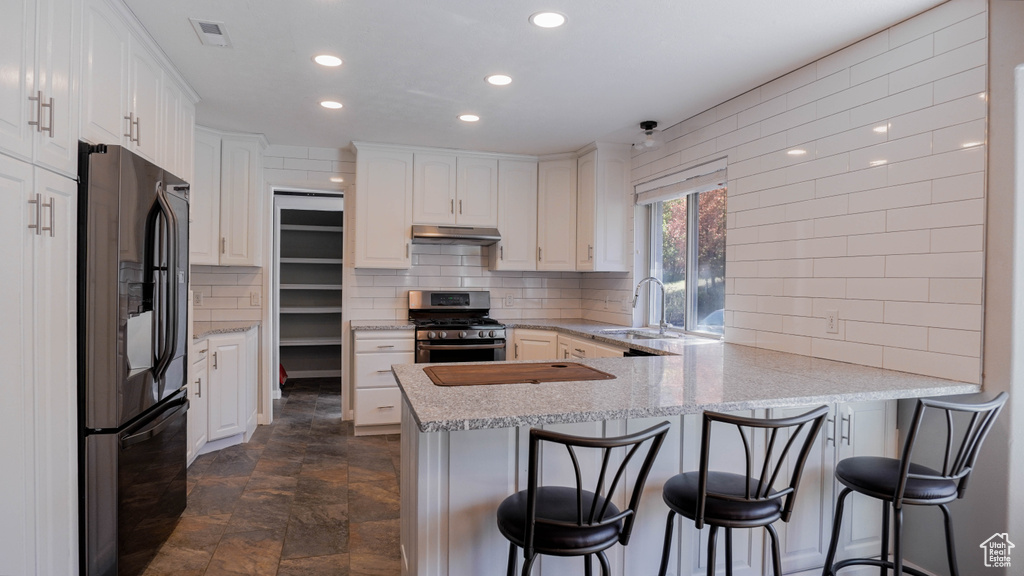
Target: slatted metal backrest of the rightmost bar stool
961, 449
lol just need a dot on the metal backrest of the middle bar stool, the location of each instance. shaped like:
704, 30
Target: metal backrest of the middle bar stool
766, 467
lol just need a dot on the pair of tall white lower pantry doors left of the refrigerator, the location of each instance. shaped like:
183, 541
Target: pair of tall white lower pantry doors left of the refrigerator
38, 414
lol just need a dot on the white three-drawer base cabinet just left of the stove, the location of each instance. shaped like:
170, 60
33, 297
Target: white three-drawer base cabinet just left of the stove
378, 400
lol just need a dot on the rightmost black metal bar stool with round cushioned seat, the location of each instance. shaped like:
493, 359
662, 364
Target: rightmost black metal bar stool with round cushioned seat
900, 482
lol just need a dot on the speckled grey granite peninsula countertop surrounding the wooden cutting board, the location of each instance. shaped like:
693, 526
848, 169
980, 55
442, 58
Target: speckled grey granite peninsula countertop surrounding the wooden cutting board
704, 377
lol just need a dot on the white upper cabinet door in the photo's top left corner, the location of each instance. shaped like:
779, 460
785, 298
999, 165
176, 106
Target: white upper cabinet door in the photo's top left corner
17, 61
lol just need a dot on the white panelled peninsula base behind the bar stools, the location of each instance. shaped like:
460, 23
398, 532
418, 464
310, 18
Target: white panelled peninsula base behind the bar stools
453, 482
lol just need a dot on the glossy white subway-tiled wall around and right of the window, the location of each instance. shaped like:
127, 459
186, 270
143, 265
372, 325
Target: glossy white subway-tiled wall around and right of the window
883, 217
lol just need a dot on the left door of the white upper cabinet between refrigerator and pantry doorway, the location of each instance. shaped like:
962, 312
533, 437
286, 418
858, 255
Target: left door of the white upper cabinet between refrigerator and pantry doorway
204, 234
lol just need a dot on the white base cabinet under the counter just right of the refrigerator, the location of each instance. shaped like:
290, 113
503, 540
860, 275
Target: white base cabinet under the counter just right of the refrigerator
224, 392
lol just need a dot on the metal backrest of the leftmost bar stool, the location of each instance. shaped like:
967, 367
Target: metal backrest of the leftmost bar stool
603, 491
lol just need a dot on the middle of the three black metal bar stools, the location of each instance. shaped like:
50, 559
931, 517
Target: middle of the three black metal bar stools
733, 501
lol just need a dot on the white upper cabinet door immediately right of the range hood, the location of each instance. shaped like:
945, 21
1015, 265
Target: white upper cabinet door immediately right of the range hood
517, 217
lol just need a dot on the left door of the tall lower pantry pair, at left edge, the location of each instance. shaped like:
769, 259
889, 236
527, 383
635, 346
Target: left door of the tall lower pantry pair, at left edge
17, 354
